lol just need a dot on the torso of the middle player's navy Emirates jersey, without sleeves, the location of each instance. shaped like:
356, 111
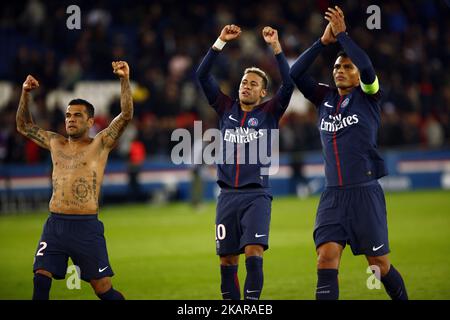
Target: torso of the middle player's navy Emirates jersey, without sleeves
243, 129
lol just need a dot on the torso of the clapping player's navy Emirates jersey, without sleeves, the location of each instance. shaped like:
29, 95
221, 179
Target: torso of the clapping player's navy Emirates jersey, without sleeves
348, 128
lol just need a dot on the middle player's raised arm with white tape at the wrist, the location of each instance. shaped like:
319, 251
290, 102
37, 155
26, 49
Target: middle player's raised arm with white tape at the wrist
209, 85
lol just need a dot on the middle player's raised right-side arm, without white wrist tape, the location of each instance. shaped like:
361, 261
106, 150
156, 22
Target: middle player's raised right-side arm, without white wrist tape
284, 93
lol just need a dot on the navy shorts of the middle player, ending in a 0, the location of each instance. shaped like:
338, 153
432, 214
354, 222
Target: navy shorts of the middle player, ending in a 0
242, 218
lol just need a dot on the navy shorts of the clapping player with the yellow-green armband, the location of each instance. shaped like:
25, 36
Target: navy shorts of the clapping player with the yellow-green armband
355, 215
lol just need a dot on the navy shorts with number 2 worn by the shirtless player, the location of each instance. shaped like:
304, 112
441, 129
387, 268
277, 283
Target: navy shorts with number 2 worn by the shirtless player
79, 237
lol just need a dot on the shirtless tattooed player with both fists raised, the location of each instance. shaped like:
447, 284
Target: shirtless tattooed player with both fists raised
72, 228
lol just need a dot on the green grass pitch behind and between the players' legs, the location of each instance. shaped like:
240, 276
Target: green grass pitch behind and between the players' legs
168, 252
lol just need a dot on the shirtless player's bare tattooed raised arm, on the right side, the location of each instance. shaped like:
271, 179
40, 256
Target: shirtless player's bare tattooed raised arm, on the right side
115, 129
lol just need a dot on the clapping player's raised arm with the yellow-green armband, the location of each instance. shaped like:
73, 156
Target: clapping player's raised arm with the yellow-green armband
369, 80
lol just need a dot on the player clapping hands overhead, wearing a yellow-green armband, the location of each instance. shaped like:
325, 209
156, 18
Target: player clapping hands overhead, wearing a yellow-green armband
352, 208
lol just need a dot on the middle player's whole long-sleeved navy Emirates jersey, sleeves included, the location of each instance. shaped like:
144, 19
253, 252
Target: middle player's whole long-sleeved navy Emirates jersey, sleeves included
246, 136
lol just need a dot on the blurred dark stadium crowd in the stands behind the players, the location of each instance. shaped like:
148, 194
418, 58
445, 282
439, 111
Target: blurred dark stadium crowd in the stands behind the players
165, 41
